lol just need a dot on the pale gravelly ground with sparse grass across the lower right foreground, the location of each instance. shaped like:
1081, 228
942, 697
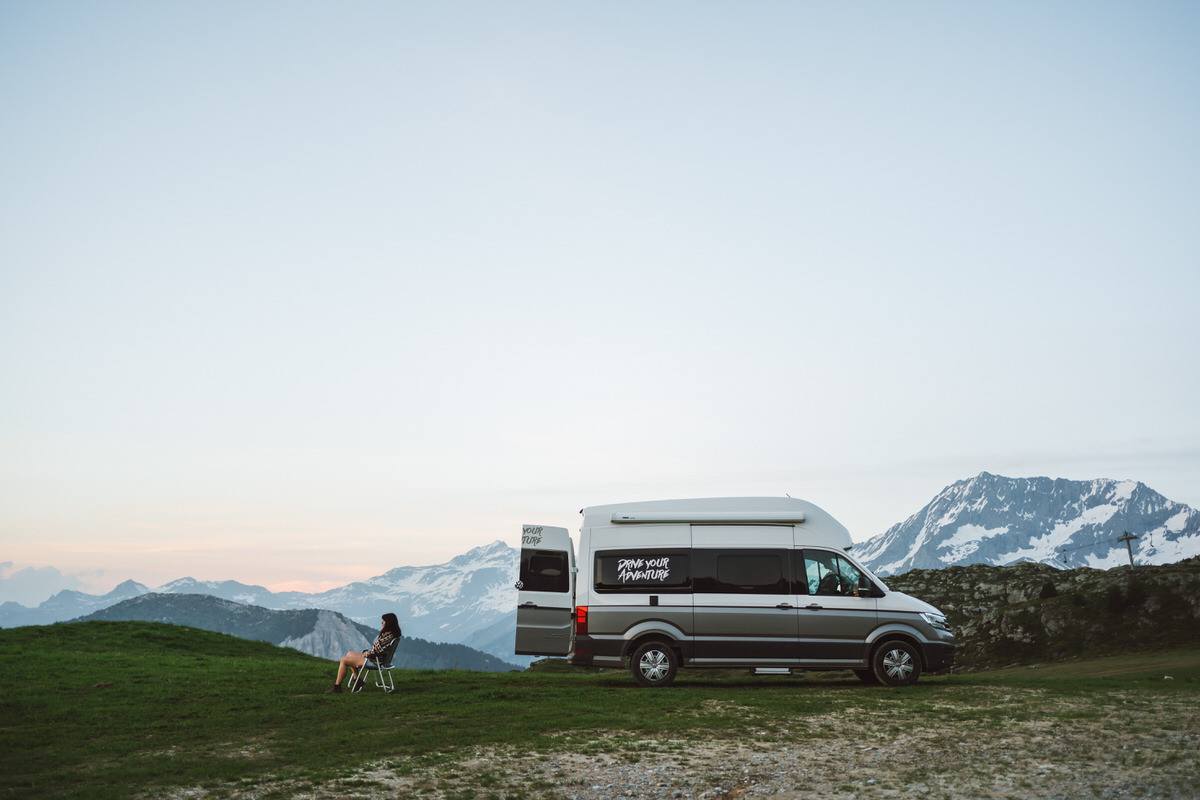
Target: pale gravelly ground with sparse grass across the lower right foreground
1124, 745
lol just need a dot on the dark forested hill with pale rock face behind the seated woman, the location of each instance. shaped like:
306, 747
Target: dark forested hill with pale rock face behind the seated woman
320, 633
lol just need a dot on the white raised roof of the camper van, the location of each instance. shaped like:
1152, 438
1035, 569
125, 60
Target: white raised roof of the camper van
813, 522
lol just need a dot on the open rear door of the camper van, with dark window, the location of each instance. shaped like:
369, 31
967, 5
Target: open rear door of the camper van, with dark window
545, 592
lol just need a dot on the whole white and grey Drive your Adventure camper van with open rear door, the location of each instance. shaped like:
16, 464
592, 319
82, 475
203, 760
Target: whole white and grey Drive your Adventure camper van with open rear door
761, 584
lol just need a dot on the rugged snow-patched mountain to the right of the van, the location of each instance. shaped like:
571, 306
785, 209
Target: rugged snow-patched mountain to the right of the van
997, 520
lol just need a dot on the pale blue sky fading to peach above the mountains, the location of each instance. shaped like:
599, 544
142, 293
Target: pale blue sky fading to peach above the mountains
297, 293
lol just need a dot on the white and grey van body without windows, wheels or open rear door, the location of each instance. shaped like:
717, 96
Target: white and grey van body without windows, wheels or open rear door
728, 629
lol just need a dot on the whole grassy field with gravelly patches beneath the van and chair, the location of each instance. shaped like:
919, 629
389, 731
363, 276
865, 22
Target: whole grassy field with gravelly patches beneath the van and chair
134, 709
